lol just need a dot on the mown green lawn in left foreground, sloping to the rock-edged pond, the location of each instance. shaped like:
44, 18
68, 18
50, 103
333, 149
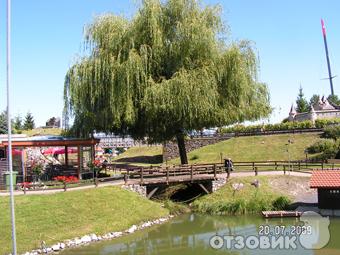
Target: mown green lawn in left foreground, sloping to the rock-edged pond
56, 217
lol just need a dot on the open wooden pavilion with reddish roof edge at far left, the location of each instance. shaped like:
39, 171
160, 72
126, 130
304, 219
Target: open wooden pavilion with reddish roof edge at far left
52, 144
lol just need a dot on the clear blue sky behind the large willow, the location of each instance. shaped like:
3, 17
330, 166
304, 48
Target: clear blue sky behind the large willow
48, 35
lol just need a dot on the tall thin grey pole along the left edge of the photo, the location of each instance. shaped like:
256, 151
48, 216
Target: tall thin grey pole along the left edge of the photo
9, 127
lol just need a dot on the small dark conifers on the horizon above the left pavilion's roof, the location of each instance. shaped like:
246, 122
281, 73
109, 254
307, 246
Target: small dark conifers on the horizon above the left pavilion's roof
18, 124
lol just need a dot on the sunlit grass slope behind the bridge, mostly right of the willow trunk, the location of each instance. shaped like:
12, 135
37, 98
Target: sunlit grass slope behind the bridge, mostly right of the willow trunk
253, 148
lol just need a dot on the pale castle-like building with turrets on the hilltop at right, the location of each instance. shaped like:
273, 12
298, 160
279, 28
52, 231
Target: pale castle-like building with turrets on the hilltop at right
321, 110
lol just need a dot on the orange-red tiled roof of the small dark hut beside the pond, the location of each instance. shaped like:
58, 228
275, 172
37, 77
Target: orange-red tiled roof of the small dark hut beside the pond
325, 179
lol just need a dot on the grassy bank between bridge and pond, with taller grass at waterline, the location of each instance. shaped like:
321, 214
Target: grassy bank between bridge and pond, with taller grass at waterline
246, 200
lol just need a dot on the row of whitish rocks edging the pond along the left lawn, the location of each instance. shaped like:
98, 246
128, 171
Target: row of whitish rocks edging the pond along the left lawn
93, 238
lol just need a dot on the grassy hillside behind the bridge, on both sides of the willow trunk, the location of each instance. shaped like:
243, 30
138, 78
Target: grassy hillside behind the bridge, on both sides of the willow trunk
247, 148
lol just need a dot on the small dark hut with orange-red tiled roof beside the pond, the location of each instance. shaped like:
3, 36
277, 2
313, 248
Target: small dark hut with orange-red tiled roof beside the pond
327, 182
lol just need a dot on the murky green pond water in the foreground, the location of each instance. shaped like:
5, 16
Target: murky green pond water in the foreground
190, 234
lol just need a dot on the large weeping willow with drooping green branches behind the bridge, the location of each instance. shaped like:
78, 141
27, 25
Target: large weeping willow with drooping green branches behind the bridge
163, 73
